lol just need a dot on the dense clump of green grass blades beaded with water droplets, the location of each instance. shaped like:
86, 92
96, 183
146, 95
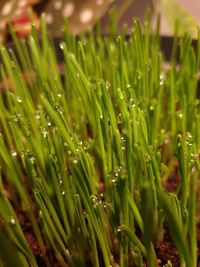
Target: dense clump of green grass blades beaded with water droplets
85, 155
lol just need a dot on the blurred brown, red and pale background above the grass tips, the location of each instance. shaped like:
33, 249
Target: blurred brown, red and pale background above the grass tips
83, 15
